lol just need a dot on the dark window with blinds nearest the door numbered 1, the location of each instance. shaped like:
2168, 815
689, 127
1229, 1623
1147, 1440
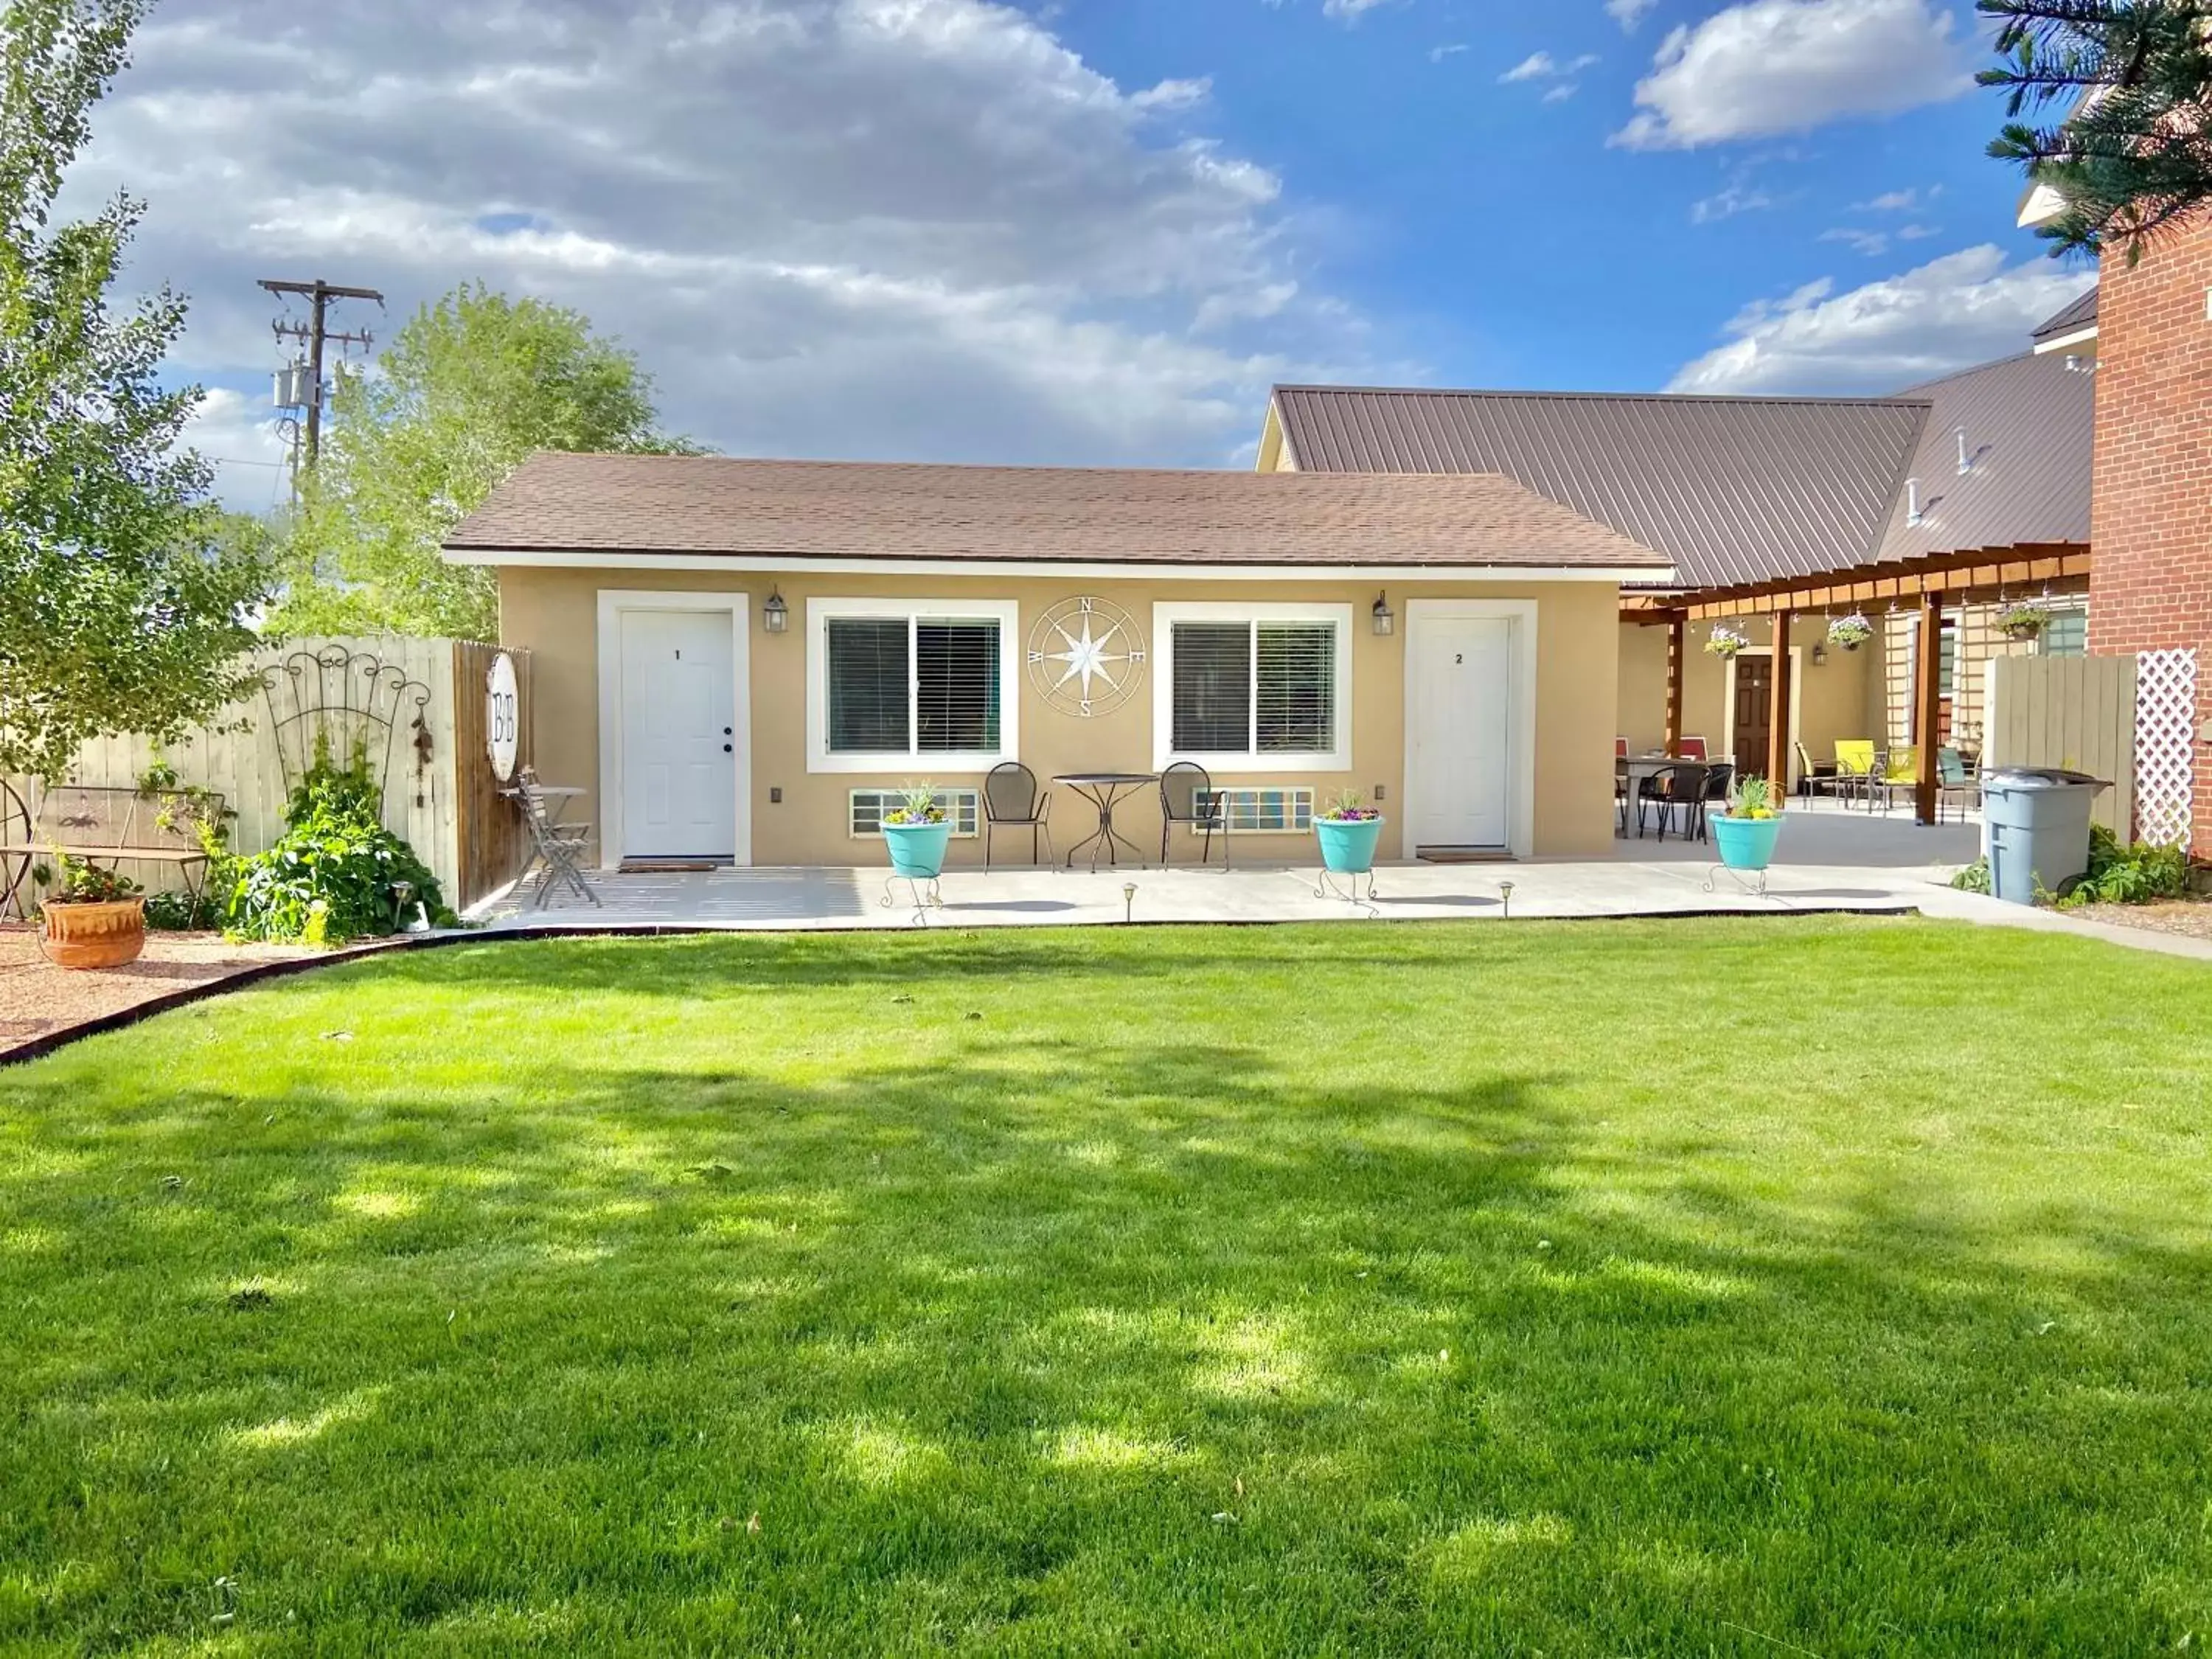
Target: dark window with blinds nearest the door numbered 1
912, 685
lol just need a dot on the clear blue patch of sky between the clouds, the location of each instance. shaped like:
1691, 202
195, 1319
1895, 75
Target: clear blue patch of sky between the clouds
1505, 240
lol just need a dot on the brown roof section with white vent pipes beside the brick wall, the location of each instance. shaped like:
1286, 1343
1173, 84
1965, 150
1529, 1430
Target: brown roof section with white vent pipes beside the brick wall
2027, 426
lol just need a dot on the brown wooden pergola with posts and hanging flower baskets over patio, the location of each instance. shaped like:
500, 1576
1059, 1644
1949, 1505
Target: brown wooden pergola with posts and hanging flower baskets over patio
1928, 583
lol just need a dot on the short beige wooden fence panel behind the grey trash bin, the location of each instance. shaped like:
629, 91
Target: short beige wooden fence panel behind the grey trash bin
2067, 711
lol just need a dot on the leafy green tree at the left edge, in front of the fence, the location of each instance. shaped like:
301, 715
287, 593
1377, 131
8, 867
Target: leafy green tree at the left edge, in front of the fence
125, 605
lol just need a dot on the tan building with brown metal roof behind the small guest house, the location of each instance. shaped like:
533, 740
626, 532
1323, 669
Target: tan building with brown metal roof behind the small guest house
1972, 488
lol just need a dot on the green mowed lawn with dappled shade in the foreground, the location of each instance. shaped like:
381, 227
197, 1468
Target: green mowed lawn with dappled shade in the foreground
1680, 1288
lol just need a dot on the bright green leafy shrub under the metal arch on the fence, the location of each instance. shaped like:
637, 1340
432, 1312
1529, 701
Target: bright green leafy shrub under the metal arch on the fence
337, 873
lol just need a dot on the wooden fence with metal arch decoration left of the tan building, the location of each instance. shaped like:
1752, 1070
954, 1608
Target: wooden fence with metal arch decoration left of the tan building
413, 707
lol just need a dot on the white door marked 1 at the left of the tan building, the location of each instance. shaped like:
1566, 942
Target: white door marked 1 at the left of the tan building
680, 733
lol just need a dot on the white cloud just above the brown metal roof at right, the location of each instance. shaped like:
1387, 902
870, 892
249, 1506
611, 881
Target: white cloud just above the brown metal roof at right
1948, 315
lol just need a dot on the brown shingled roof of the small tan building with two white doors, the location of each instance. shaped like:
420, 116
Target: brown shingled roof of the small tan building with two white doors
811, 510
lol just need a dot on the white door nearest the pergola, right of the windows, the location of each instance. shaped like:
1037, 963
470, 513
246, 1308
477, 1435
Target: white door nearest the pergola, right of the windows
1461, 724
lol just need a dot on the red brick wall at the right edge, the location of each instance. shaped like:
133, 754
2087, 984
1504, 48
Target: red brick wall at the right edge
2153, 510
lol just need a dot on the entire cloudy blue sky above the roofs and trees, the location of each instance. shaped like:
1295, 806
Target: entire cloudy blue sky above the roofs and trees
1089, 231
